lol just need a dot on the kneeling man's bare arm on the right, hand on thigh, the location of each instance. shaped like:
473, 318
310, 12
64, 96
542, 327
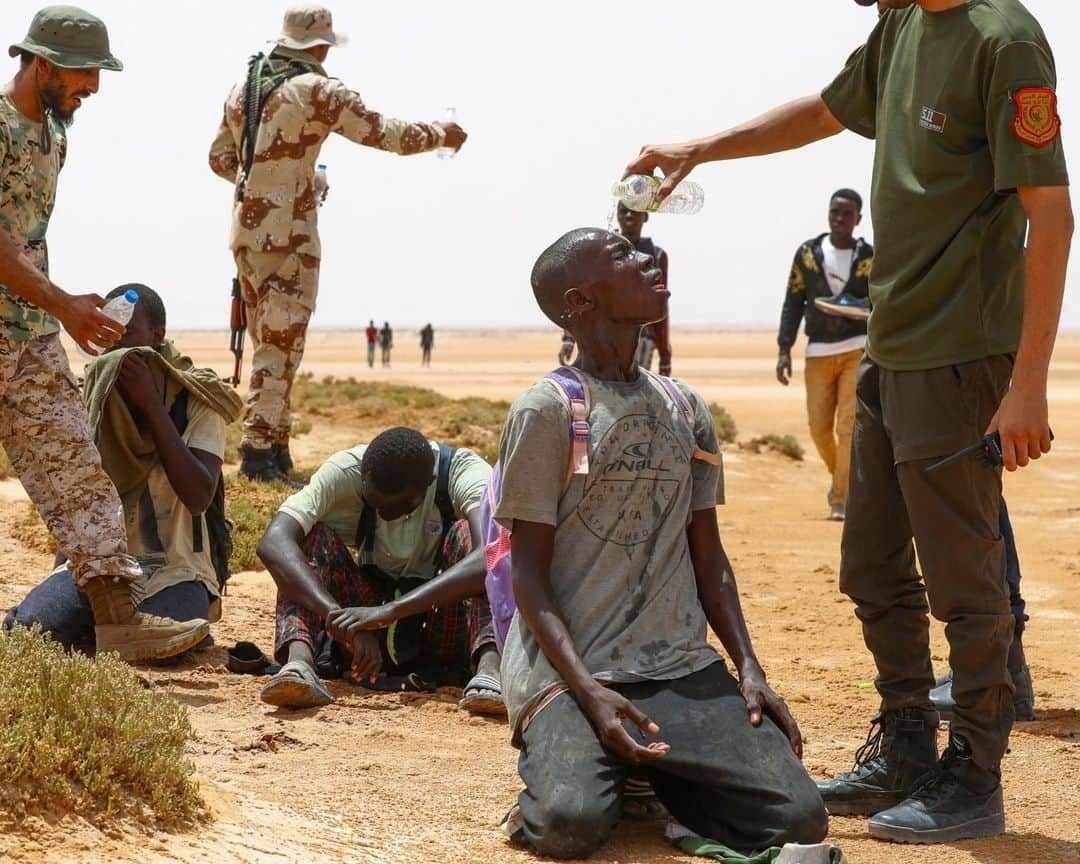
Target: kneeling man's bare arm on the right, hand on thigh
720, 598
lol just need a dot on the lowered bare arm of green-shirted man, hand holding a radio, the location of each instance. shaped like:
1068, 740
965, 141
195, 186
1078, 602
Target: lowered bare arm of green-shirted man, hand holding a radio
1023, 417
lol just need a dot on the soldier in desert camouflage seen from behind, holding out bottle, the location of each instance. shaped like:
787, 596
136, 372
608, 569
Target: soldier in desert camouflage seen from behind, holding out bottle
275, 234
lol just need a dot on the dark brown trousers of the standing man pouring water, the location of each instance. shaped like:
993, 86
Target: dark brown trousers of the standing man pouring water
904, 422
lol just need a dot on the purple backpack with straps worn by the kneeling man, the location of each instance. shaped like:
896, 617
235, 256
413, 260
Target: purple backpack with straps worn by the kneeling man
575, 391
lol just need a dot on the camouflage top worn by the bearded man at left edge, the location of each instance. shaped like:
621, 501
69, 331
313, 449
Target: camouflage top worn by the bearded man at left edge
28, 194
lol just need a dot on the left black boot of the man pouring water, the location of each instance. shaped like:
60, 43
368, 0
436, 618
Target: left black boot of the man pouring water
901, 748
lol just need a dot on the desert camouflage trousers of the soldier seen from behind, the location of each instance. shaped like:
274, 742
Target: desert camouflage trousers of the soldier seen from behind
279, 292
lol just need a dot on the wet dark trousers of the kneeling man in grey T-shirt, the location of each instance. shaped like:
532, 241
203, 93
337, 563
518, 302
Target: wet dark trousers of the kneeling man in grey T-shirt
723, 779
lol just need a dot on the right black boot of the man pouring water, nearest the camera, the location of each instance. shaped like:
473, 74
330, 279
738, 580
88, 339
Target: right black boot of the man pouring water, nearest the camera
957, 801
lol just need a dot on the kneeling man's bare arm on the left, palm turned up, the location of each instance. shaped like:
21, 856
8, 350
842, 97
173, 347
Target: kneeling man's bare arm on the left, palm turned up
532, 548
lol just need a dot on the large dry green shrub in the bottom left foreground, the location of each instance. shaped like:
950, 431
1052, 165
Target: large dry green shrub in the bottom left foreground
82, 735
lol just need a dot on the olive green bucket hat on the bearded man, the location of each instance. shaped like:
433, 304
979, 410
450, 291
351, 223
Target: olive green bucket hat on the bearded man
71, 38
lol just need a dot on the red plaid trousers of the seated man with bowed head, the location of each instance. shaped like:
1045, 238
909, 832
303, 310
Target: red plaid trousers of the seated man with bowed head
454, 637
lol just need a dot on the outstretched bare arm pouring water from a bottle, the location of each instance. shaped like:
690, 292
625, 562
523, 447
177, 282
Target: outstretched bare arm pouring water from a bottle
787, 128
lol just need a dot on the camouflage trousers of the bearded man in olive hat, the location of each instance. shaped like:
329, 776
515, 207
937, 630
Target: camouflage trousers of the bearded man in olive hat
46, 434
